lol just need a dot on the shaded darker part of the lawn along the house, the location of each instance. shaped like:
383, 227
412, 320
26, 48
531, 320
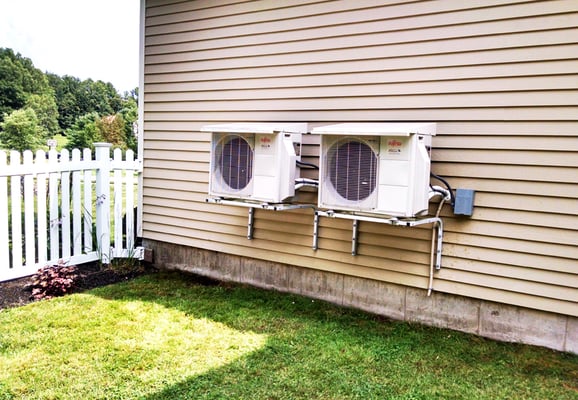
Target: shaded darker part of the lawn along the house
316, 350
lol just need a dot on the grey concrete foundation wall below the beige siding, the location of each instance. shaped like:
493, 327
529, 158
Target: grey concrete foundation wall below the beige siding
492, 320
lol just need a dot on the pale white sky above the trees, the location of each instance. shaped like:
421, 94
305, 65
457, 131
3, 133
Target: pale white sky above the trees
96, 39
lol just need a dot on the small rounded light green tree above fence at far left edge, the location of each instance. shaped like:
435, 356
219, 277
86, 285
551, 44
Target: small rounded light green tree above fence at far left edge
20, 130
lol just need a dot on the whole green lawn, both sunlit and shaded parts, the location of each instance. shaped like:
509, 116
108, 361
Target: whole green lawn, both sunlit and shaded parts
165, 336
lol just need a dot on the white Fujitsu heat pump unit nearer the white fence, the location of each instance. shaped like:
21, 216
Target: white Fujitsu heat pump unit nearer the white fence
255, 161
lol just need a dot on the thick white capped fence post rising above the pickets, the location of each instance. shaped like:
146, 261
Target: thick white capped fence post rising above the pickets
103, 200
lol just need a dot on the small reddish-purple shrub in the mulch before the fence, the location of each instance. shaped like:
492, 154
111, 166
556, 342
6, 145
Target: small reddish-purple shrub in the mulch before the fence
53, 281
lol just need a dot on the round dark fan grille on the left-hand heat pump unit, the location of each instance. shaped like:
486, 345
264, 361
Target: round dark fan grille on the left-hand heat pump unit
235, 162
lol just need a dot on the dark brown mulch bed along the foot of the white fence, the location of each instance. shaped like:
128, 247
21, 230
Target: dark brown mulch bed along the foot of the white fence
17, 292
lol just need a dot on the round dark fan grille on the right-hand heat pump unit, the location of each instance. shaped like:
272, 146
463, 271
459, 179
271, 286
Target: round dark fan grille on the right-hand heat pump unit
352, 169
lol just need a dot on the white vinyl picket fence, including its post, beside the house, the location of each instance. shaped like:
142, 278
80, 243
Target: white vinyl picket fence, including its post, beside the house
67, 207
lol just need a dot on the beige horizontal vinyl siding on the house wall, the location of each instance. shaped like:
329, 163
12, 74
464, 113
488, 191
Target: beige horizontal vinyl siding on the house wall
500, 79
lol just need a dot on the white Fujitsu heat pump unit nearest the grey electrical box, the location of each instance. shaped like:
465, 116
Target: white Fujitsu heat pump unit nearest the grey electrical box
376, 168
